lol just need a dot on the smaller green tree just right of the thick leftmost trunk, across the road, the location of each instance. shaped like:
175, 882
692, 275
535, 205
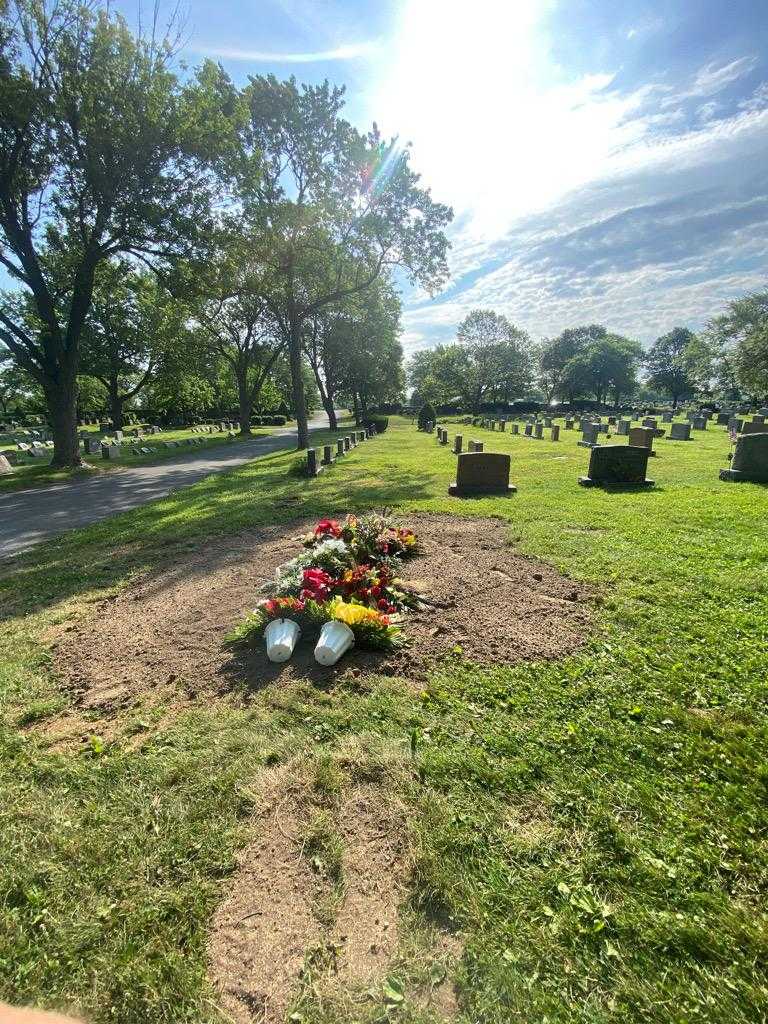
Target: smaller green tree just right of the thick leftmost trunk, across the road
133, 321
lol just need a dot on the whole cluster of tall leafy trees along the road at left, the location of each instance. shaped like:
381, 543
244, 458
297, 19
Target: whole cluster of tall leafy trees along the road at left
176, 241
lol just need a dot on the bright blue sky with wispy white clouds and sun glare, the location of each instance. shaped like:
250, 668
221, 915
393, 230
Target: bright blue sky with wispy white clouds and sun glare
607, 160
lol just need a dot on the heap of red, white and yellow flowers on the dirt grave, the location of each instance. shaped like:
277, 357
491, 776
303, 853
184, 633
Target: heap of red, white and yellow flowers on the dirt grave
349, 574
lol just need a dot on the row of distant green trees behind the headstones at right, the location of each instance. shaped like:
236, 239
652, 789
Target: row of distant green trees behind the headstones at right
494, 363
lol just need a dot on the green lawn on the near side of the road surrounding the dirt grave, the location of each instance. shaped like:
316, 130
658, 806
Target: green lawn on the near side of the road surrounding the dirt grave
592, 832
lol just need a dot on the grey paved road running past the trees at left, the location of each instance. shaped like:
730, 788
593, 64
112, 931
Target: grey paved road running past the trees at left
30, 517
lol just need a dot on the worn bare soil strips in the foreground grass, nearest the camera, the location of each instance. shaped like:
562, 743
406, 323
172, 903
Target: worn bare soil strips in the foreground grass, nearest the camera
268, 949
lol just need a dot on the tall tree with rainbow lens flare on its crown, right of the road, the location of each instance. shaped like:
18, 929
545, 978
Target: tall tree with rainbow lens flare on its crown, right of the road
334, 209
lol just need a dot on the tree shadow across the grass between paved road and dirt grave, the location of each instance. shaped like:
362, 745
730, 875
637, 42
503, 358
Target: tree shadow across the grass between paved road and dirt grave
156, 537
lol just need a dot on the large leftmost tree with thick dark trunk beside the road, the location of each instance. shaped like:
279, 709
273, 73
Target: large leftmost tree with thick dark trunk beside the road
100, 155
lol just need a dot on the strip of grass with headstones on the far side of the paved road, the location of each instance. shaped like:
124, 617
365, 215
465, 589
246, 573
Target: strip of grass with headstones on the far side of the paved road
35, 473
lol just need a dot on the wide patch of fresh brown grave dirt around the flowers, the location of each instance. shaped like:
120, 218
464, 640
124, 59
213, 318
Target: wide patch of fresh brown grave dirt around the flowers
487, 604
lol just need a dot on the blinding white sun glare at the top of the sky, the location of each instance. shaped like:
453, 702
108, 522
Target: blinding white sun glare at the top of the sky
496, 124
